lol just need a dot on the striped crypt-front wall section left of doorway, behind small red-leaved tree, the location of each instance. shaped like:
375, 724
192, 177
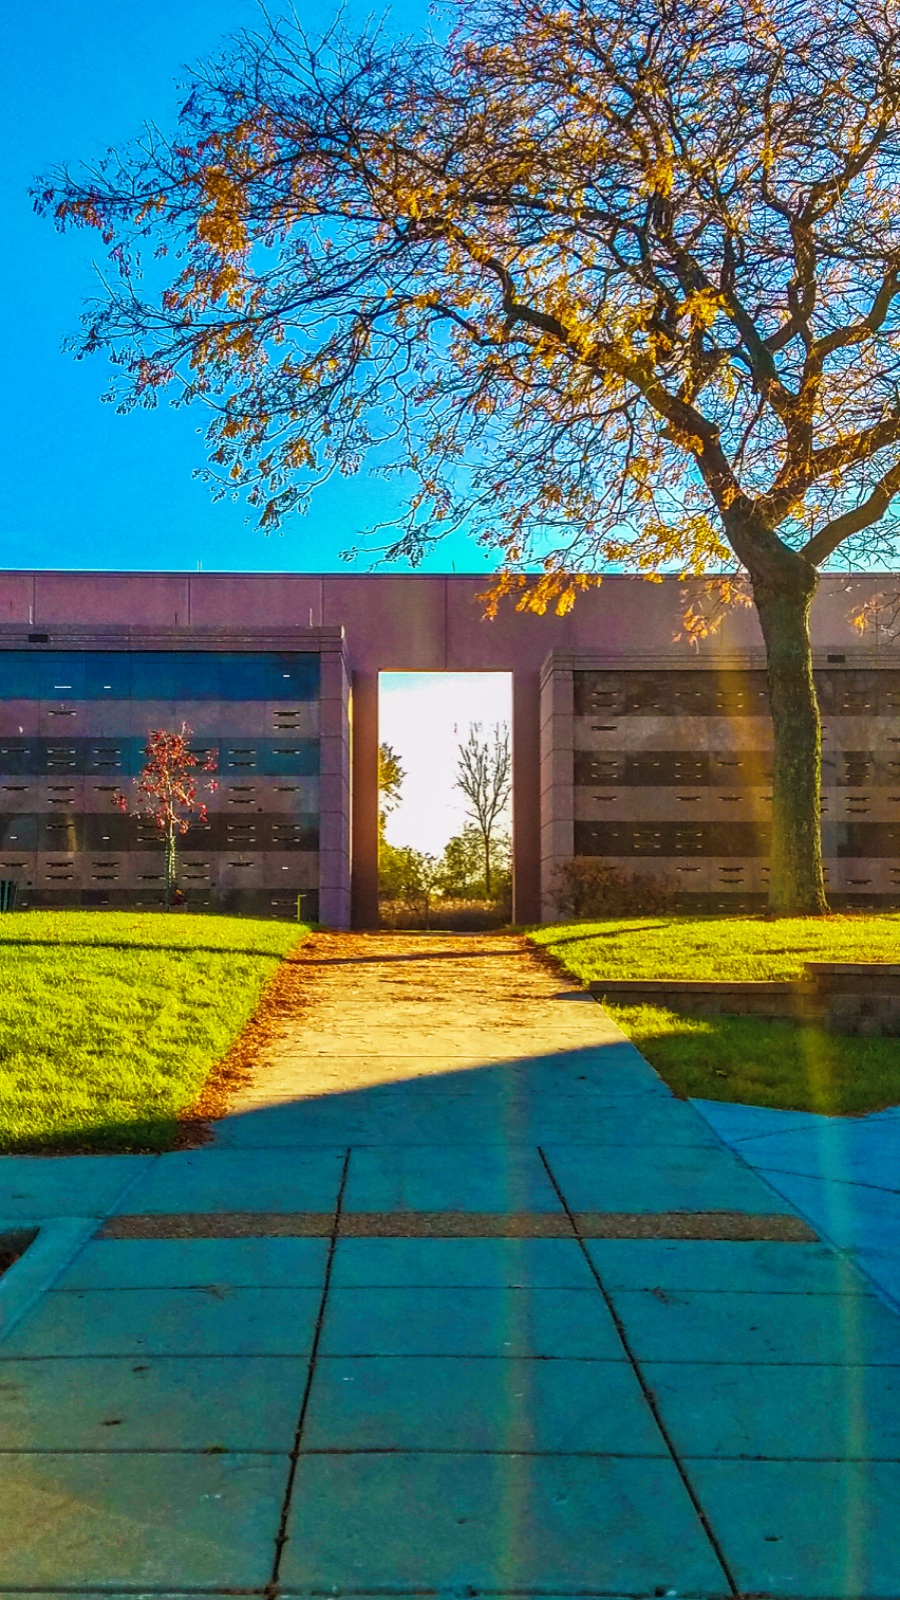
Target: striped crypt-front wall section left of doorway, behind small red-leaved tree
76, 716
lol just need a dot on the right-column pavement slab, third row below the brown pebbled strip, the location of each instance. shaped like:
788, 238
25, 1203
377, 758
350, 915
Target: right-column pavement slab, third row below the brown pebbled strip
790, 1414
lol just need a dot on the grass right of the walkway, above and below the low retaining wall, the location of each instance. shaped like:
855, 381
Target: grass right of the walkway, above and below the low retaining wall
785, 1065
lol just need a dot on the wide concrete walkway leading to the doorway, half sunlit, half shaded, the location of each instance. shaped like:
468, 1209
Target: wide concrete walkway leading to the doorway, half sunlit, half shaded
460, 1302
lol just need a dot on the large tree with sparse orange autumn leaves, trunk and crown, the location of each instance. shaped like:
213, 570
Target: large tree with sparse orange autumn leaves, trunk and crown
614, 282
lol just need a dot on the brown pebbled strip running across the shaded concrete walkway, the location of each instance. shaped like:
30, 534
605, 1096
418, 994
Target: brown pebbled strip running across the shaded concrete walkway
731, 1226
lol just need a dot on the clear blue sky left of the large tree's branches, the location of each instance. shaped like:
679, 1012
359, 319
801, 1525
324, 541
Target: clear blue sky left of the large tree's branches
84, 487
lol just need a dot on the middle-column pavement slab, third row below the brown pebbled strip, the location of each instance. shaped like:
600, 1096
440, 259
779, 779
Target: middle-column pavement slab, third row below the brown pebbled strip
444, 1404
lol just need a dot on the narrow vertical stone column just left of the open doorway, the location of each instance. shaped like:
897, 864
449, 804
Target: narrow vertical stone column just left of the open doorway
334, 786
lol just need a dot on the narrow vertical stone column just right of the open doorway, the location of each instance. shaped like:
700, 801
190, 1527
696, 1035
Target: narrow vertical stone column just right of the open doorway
558, 790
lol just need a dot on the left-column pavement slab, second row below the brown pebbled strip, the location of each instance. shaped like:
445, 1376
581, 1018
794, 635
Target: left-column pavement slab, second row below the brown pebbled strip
169, 1322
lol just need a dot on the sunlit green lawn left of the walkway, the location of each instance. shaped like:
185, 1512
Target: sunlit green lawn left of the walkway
111, 1022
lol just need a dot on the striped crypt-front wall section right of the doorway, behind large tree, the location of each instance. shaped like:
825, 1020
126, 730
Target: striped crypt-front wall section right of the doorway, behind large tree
665, 769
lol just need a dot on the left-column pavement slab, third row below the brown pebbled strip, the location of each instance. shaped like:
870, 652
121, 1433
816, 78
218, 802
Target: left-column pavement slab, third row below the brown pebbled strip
238, 1404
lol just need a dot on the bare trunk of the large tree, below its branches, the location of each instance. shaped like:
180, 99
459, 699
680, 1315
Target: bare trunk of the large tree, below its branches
797, 884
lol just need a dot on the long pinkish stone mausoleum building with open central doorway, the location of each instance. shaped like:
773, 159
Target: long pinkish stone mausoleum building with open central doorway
629, 742
